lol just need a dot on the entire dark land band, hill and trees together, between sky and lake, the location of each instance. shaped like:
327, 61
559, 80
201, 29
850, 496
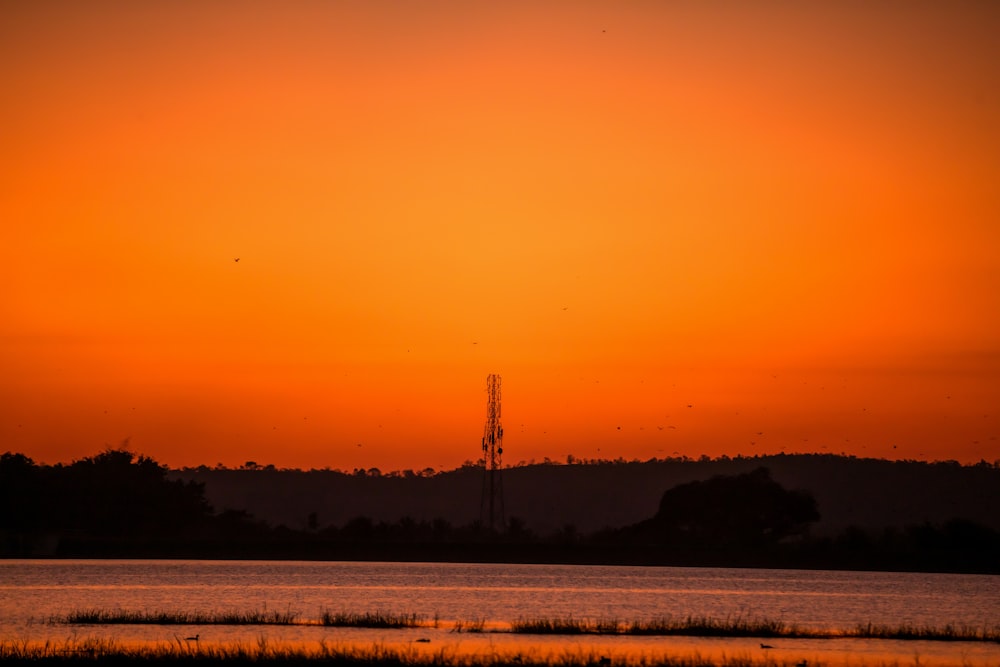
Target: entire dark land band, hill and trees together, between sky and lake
752, 512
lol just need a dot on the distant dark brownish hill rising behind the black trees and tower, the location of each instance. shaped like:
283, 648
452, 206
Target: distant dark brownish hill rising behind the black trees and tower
871, 494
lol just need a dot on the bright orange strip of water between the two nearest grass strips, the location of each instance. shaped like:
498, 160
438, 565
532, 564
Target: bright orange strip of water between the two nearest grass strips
444, 648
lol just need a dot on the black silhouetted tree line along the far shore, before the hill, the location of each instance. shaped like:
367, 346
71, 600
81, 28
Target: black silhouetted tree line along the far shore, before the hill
122, 504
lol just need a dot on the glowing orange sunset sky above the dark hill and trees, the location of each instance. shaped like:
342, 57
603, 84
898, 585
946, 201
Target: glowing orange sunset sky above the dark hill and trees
672, 227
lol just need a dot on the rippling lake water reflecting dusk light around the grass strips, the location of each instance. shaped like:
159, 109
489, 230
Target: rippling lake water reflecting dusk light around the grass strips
33, 591
